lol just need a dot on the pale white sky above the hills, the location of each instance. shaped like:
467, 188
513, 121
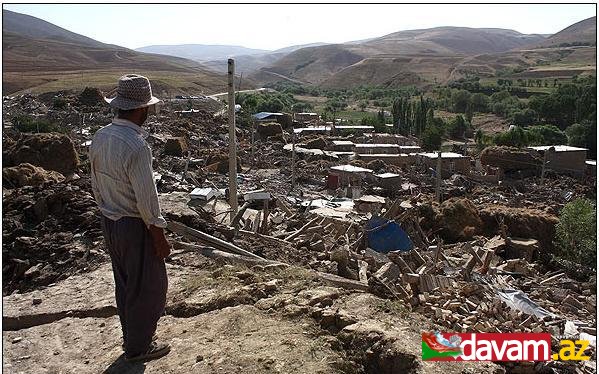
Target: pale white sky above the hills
276, 26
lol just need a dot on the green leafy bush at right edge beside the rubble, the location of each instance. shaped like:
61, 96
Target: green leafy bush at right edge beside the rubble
576, 232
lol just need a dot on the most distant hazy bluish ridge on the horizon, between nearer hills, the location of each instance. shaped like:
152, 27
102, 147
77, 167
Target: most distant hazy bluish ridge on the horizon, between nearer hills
201, 52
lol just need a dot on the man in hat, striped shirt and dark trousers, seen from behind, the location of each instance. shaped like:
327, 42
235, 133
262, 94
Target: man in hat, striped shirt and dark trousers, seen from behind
124, 188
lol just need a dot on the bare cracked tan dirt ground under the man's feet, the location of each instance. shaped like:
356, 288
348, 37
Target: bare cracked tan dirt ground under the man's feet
220, 321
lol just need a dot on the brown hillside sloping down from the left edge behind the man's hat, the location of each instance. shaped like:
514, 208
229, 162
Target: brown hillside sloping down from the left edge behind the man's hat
36, 61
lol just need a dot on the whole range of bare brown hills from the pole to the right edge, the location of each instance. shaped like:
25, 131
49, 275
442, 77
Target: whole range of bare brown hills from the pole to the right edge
439, 55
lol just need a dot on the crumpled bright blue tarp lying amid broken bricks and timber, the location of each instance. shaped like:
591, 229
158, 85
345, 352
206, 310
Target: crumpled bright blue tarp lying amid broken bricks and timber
385, 236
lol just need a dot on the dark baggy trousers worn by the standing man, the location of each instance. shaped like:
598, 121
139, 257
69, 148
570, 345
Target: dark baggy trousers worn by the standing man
140, 280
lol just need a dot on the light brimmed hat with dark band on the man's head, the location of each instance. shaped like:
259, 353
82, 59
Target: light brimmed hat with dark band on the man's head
134, 91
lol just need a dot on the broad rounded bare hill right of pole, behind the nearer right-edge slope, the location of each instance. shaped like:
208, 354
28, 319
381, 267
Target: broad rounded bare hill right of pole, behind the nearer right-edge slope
367, 62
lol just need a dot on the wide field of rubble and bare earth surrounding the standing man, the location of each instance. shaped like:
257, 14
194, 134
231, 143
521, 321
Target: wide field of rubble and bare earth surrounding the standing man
336, 264
